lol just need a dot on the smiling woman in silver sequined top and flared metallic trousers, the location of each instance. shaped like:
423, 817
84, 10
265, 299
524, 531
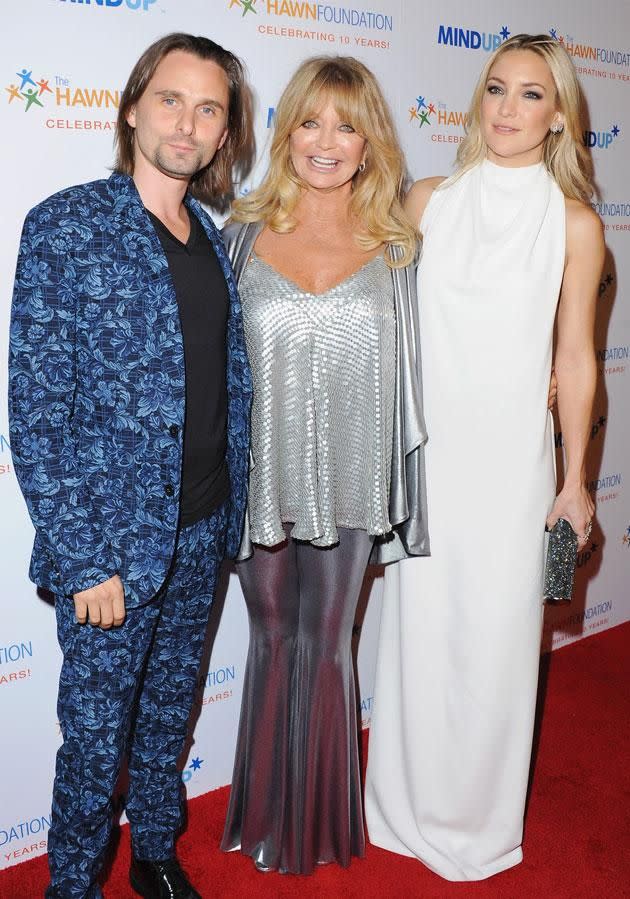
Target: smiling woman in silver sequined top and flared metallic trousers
324, 258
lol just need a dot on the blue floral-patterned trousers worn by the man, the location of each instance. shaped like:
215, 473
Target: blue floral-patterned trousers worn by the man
129, 690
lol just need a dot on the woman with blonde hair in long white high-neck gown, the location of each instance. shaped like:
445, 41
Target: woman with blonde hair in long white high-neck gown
509, 245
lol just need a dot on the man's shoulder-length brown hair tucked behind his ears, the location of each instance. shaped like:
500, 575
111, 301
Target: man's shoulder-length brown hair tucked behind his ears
214, 183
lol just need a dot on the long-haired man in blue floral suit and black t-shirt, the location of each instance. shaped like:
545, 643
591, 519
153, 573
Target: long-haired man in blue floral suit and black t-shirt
129, 404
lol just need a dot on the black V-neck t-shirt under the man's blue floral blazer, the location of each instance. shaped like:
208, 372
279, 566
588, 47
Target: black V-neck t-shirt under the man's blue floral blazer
203, 301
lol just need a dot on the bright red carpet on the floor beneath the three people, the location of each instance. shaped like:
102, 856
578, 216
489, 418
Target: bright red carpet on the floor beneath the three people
577, 840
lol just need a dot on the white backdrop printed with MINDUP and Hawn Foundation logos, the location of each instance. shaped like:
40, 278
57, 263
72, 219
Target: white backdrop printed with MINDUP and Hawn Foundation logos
64, 64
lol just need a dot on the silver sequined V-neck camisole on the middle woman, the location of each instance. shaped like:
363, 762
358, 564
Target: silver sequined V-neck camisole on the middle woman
324, 370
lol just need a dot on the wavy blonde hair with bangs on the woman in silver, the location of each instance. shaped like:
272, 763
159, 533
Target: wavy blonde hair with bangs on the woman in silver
376, 192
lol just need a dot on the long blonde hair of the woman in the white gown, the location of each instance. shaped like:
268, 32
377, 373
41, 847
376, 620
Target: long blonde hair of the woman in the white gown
564, 154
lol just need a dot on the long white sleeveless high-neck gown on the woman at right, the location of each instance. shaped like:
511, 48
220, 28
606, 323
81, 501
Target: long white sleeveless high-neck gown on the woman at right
457, 669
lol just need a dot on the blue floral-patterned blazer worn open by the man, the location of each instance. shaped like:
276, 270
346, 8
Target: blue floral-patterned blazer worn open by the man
97, 391
